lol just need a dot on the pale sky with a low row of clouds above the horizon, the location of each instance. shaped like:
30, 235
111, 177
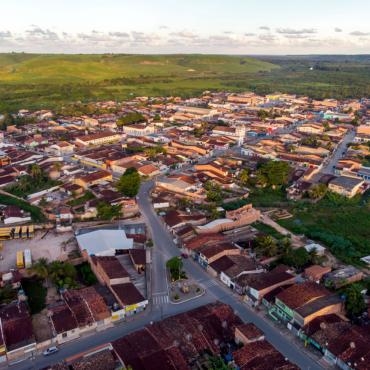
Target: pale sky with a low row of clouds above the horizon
186, 26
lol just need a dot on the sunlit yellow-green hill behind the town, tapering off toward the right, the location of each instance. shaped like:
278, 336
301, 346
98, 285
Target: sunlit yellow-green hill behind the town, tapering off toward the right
48, 80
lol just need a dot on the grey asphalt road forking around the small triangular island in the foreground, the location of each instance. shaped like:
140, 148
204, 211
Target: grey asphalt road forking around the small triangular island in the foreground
165, 248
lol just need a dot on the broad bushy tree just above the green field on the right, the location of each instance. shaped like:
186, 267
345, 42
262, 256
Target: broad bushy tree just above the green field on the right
273, 173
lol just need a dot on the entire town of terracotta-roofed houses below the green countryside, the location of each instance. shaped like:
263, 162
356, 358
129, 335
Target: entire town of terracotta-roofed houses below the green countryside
229, 230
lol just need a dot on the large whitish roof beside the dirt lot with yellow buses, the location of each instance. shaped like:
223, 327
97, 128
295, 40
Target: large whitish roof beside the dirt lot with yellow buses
103, 242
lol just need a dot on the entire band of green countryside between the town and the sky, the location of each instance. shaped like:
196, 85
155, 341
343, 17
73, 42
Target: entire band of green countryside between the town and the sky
51, 80
